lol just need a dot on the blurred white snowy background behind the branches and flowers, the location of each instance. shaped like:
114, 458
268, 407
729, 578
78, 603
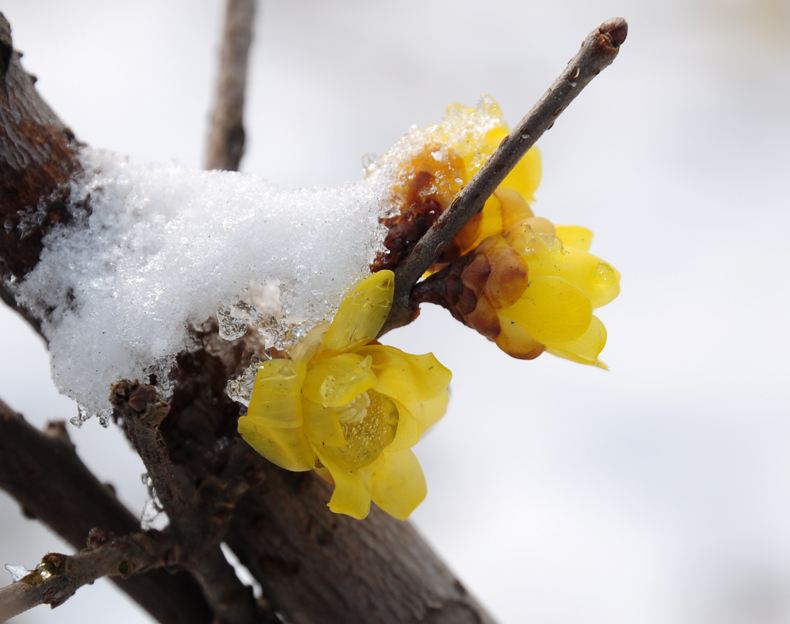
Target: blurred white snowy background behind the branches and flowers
658, 492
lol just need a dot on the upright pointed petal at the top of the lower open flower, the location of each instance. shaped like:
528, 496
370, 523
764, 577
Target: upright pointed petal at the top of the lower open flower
361, 314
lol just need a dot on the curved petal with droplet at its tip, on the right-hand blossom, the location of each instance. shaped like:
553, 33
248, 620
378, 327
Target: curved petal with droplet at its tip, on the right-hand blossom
599, 280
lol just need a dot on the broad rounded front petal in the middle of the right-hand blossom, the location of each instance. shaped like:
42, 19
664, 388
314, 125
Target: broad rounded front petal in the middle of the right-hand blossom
552, 310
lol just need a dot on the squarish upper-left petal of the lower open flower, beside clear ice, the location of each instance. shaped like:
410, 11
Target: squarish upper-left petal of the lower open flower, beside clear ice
277, 394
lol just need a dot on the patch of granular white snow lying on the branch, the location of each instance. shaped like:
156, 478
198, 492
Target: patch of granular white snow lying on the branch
165, 246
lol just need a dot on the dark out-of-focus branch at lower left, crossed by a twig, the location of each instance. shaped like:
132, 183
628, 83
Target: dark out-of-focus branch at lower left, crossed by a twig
44, 473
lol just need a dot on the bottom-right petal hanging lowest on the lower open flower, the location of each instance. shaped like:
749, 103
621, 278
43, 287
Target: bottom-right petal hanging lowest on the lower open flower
399, 486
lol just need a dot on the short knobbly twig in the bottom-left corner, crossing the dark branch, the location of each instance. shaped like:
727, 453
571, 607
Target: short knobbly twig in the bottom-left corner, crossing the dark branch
58, 576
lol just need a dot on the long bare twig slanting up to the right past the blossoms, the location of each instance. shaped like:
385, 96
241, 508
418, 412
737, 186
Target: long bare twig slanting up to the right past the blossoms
598, 51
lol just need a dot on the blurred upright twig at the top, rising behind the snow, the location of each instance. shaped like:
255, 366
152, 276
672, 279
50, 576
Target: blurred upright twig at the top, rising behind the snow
226, 136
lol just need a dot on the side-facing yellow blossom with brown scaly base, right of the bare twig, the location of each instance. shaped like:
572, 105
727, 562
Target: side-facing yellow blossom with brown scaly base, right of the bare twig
530, 290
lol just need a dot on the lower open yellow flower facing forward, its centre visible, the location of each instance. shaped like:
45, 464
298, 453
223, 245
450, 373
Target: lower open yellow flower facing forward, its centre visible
350, 408
